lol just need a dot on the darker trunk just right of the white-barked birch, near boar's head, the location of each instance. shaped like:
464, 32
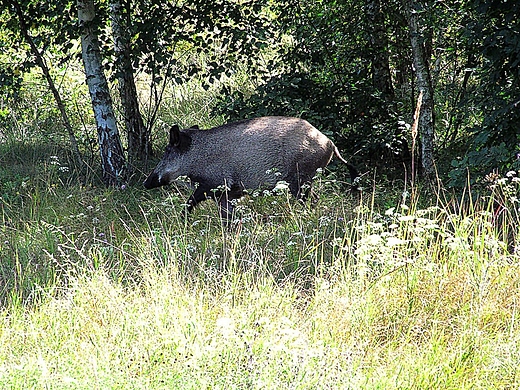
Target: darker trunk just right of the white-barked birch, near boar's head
139, 147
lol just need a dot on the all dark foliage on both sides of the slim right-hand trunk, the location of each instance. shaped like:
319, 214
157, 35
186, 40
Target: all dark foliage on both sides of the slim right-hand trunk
327, 74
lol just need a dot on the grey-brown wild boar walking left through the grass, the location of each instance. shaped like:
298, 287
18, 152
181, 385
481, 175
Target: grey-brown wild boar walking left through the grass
226, 161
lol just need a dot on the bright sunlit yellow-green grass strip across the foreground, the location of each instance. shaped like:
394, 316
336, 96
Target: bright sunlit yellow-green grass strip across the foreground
239, 330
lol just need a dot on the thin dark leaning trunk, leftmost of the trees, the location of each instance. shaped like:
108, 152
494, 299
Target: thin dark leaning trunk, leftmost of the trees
24, 29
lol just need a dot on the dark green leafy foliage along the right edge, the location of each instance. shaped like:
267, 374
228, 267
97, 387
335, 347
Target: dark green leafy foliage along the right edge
492, 34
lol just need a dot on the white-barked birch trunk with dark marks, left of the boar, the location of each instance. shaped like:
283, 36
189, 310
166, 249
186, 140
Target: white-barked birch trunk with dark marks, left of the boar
111, 151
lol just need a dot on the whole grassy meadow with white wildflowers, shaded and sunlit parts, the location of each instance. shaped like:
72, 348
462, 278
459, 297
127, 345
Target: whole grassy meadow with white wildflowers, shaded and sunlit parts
398, 287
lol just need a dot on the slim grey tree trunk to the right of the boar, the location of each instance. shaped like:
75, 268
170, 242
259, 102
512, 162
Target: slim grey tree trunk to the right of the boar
424, 85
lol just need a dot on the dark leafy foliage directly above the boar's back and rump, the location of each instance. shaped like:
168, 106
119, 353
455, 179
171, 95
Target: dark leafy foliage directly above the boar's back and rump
323, 73
